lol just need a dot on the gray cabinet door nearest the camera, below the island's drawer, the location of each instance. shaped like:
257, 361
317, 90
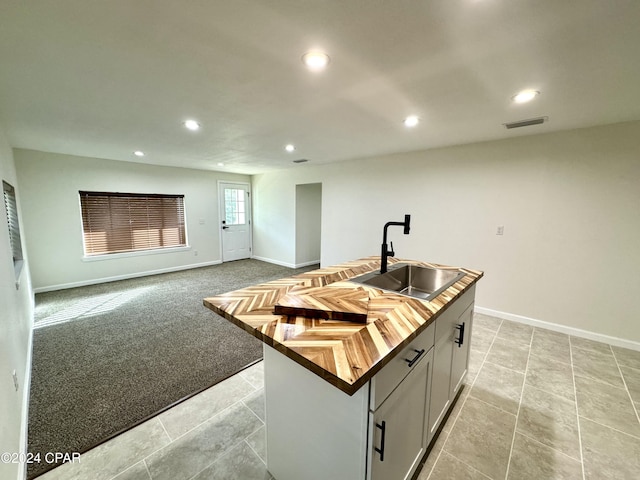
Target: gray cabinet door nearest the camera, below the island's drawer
398, 439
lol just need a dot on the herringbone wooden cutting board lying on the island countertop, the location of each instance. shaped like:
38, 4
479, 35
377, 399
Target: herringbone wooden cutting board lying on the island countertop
332, 303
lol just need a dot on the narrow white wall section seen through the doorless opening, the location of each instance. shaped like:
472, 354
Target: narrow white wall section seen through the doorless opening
308, 221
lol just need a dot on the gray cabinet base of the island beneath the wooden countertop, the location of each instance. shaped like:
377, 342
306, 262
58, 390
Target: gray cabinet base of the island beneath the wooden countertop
316, 432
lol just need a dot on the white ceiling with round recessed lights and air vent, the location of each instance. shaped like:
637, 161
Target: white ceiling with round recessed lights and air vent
104, 78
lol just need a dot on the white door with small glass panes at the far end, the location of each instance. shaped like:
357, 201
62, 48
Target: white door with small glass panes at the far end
235, 221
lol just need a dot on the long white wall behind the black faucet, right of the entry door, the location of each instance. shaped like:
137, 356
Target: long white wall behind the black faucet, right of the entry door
568, 201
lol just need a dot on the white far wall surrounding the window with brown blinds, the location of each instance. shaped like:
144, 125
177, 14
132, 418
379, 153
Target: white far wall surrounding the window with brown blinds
50, 184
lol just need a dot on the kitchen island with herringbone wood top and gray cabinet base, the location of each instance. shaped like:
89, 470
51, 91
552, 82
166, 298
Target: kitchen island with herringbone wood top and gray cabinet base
357, 379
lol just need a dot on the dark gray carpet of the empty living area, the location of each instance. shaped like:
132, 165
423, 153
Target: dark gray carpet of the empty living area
108, 356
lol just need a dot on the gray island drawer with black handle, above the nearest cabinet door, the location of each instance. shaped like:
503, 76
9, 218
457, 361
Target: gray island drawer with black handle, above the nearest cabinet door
387, 379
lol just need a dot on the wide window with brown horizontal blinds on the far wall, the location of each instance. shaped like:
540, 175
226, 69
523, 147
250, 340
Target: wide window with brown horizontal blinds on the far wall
130, 222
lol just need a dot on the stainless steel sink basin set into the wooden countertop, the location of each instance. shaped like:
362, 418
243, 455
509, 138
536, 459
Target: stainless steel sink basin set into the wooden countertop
411, 280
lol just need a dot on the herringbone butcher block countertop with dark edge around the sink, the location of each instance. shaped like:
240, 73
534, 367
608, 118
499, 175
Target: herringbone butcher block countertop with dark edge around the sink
344, 352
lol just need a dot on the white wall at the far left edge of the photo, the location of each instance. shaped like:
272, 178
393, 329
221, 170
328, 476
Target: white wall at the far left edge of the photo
16, 319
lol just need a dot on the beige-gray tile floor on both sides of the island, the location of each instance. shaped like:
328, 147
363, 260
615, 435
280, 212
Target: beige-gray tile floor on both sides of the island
537, 405
